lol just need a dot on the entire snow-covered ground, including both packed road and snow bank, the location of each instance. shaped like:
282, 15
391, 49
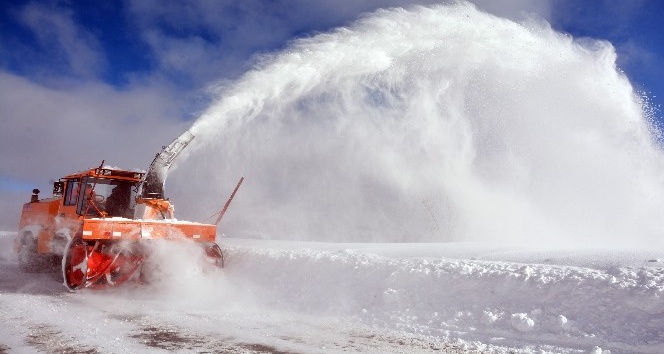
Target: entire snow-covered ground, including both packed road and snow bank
306, 297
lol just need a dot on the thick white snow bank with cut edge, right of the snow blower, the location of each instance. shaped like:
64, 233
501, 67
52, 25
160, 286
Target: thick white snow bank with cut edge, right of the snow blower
489, 304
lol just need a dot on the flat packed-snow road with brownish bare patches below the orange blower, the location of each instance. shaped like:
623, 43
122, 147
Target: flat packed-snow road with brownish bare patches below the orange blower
41, 317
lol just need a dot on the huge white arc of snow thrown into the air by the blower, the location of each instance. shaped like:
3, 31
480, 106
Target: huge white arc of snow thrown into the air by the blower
432, 124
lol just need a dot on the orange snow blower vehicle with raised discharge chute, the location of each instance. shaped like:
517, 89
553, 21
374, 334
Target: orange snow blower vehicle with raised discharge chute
99, 222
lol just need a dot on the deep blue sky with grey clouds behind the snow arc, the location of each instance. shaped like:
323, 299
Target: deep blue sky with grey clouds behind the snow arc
86, 80
